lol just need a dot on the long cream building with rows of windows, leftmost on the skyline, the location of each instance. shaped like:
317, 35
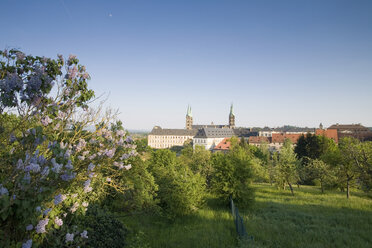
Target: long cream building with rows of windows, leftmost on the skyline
160, 138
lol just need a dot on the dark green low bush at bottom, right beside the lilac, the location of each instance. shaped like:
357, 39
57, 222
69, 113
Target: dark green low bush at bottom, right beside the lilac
104, 229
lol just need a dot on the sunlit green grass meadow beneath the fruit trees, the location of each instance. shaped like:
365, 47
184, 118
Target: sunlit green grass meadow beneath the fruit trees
309, 219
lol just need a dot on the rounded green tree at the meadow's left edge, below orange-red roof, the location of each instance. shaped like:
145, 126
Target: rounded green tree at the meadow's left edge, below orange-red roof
233, 174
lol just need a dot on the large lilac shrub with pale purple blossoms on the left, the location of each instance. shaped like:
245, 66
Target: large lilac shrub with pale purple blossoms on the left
57, 154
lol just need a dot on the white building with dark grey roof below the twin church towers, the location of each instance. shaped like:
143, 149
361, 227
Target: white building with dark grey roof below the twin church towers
211, 137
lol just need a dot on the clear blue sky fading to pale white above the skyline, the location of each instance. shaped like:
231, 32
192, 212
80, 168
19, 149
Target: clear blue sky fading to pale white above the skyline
297, 62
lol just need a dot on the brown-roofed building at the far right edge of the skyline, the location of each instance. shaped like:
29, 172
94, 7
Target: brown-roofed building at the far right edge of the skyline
352, 130
